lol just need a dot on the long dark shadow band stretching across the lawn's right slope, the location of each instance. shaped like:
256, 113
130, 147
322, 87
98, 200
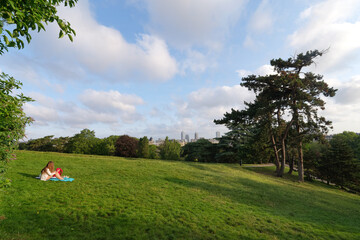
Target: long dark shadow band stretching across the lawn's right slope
312, 206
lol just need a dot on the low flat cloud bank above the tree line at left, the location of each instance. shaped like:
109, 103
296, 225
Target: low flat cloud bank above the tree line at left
99, 108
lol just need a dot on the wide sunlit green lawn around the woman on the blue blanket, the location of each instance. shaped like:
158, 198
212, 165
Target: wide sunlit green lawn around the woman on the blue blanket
117, 198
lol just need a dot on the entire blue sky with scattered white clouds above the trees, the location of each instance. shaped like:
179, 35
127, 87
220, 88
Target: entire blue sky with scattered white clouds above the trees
157, 67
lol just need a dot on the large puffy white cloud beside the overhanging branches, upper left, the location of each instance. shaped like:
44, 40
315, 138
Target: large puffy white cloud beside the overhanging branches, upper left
103, 50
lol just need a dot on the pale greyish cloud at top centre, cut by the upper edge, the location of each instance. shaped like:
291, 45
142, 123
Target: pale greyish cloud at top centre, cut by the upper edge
186, 23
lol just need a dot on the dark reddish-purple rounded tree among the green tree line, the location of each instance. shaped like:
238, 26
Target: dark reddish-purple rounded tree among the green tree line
126, 146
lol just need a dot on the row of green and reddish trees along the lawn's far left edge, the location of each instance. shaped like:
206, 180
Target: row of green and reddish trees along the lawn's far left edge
85, 142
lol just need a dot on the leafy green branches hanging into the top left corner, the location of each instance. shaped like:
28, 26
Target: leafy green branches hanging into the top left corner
18, 18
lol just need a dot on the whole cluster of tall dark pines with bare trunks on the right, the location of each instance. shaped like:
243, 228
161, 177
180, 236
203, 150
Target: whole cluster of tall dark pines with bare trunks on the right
288, 91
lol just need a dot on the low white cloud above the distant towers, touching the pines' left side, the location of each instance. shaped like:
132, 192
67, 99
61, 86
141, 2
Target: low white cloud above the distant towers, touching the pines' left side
197, 112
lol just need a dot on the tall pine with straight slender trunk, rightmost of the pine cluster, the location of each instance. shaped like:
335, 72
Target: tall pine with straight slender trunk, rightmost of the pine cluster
303, 91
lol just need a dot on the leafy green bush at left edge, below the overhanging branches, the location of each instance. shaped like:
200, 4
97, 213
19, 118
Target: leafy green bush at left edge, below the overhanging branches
13, 119
